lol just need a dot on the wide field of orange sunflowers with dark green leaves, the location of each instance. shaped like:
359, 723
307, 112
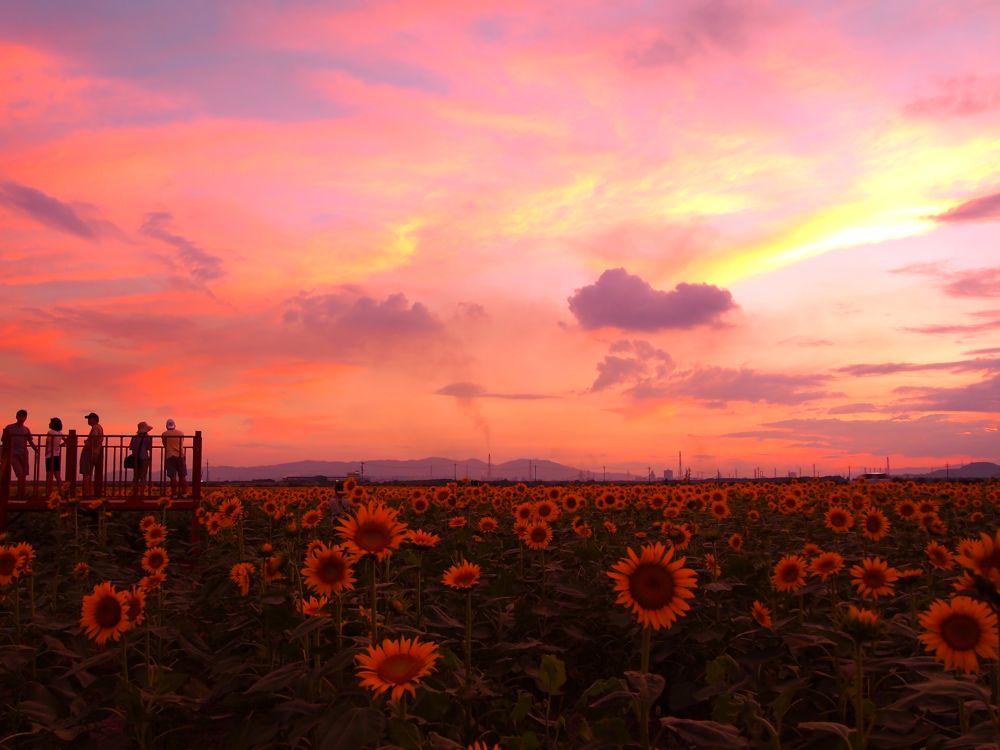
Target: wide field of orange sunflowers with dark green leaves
806, 614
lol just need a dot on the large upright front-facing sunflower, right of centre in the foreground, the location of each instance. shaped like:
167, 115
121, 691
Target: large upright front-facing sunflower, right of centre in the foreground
652, 586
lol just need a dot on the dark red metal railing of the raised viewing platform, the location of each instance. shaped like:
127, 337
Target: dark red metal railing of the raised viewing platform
112, 481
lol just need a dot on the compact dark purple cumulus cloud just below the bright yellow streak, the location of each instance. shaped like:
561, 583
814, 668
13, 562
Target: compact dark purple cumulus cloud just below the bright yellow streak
622, 300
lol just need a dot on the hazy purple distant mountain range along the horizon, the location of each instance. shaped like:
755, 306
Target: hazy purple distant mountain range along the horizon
518, 470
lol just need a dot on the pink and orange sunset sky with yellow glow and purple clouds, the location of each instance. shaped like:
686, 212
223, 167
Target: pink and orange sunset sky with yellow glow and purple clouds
761, 233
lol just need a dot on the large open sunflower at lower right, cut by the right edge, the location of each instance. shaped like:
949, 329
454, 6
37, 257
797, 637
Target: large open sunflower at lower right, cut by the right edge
960, 631
